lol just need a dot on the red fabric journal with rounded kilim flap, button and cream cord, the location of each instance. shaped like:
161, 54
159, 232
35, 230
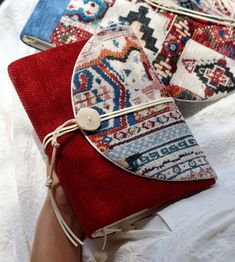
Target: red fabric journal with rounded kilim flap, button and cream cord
125, 150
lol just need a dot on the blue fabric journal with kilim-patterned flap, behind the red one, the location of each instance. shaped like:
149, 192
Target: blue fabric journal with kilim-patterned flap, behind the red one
193, 58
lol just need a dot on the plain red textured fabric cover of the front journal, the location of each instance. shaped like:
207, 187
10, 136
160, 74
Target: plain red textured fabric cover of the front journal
100, 192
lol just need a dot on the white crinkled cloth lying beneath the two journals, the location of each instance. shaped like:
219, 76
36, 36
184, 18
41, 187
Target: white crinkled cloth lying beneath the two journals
200, 228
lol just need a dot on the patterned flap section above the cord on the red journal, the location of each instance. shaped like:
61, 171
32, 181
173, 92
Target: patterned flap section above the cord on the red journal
114, 72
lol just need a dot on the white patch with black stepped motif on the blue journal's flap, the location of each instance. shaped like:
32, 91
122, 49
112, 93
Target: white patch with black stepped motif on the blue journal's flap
150, 26
